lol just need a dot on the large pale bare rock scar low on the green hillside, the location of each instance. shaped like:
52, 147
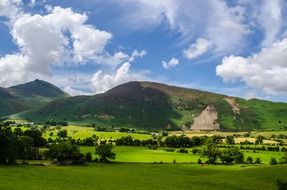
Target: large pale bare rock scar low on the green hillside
207, 120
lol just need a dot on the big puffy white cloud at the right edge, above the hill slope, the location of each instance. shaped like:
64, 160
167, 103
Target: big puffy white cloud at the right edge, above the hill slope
266, 70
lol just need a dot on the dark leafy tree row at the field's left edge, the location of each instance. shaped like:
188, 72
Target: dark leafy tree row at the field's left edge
18, 145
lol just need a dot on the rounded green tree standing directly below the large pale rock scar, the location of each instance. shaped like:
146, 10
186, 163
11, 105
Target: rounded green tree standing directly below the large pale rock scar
210, 151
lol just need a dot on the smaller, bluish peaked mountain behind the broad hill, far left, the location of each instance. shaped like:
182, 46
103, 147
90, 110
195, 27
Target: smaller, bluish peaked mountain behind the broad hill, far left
28, 96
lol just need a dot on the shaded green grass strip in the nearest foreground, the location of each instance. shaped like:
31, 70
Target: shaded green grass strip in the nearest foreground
140, 177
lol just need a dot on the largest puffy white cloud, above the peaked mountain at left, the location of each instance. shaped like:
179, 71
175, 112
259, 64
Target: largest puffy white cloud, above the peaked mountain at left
43, 43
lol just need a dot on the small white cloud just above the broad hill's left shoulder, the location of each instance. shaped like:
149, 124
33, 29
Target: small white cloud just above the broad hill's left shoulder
101, 81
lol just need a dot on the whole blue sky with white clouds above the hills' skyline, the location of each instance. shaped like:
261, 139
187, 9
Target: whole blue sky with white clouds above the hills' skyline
236, 47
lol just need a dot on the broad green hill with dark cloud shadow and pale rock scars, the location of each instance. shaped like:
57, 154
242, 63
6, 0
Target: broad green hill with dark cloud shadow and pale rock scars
148, 105
